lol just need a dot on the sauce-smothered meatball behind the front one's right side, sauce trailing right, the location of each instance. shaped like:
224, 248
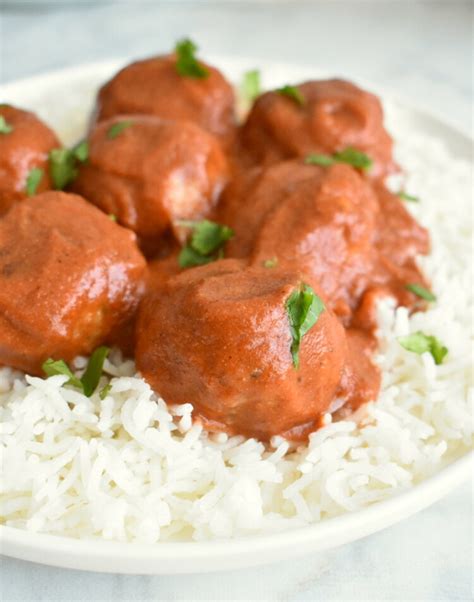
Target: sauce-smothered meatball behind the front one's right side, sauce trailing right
356, 242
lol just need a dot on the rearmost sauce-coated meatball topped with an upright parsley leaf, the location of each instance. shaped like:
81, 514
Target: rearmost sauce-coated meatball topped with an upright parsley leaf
154, 87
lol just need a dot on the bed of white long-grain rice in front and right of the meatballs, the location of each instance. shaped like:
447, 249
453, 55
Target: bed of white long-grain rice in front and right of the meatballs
131, 468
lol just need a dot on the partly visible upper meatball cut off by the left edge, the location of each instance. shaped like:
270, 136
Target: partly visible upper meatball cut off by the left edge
25, 142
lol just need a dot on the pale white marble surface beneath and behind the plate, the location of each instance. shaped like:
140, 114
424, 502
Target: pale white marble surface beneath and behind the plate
419, 50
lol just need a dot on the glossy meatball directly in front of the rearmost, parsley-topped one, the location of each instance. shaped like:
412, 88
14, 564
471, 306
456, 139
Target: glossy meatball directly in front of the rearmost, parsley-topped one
150, 172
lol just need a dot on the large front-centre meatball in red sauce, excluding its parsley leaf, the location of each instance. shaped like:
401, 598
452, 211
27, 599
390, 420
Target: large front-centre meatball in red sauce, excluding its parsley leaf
218, 336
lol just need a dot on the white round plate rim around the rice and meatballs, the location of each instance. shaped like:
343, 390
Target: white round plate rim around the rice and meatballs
46, 95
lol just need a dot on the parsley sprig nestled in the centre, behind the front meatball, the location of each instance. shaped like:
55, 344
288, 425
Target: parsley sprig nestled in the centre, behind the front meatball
205, 243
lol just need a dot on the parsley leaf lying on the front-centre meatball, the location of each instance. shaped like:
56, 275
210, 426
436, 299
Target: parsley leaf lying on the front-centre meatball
304, 308
